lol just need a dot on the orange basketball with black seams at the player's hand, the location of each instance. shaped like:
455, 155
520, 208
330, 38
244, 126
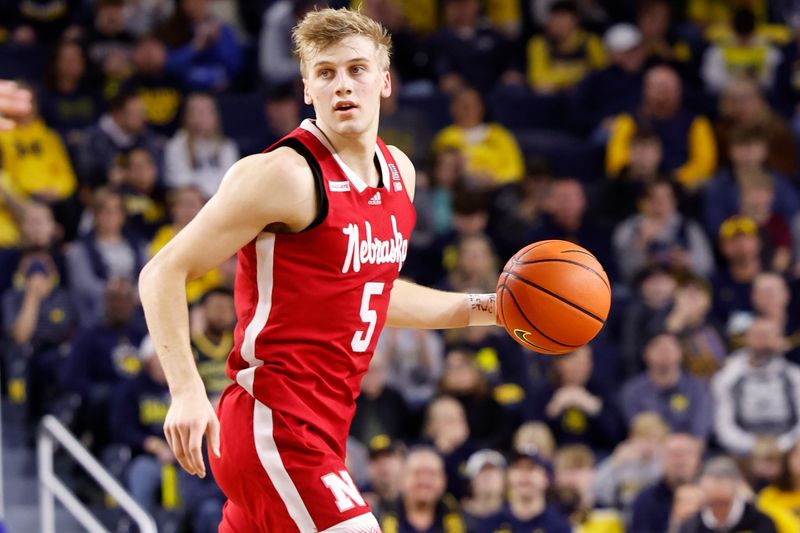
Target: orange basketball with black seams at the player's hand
553, 297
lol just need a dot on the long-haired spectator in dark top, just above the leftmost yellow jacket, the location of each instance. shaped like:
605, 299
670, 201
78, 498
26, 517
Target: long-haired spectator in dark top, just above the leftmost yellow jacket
71, 102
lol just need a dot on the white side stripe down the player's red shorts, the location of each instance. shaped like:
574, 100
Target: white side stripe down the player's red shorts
271, 461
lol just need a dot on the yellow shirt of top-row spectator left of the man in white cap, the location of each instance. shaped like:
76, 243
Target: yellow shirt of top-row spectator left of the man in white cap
563, 68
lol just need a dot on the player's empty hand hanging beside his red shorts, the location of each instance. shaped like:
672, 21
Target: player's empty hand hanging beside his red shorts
190, 416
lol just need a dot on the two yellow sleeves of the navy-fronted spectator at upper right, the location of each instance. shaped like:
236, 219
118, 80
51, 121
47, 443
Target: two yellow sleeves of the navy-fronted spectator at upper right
702, 149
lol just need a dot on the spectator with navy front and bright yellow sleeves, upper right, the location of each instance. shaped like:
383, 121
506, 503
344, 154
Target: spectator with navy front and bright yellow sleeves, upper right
690, 152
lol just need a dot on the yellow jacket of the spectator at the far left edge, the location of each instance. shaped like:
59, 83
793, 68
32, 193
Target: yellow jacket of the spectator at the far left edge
36, 160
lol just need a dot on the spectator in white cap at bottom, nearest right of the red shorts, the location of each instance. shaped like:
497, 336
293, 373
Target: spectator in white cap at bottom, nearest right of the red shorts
486, 472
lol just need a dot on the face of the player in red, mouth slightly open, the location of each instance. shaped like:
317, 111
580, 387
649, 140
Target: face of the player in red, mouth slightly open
345, 83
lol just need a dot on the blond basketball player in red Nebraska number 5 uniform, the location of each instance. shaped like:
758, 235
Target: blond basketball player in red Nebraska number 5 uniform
321, 222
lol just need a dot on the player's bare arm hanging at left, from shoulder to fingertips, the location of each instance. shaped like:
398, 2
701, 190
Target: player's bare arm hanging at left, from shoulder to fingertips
259, 190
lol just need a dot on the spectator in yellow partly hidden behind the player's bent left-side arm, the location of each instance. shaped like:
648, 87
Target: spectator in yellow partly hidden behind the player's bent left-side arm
184, 204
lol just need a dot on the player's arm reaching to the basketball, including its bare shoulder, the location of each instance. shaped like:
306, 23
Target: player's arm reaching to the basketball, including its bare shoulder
414, 306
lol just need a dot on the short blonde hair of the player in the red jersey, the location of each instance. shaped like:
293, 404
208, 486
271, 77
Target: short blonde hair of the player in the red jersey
323, 28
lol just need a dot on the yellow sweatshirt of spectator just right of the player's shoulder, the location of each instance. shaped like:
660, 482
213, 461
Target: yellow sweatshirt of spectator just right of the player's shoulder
490, 149
